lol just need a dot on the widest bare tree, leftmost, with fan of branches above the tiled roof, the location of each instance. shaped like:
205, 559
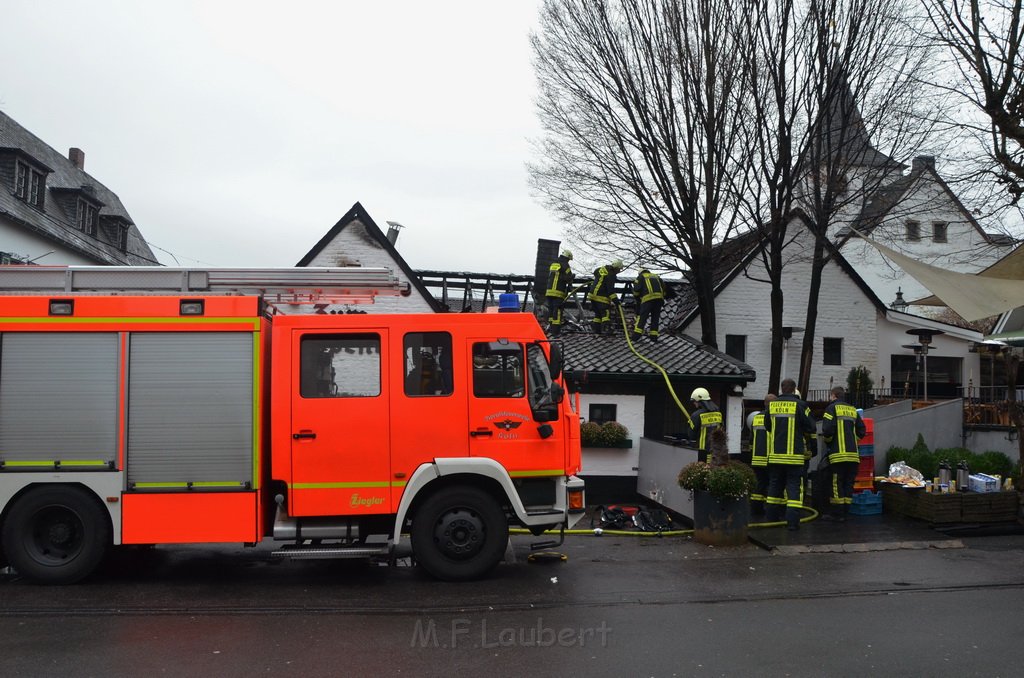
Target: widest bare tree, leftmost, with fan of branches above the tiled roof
639, 103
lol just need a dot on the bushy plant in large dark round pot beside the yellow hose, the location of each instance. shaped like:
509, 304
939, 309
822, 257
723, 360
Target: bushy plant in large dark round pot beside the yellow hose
721, 495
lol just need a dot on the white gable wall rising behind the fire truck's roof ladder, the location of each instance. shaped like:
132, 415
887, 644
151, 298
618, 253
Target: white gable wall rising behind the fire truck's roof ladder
355, 247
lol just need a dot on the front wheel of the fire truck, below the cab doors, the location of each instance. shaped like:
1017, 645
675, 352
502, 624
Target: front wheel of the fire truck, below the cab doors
459, 534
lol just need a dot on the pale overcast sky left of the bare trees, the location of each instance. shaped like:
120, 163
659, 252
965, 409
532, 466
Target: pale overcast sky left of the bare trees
238, 134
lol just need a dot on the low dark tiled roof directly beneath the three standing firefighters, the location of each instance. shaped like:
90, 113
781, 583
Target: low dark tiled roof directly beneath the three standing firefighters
680, 356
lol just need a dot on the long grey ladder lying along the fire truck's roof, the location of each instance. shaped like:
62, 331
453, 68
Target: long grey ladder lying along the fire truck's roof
351, 285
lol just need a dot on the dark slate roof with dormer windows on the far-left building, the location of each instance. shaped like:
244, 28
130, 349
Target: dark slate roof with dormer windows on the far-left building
53, 223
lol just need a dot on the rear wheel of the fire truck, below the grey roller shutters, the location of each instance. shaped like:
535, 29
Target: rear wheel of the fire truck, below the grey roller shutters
57, 535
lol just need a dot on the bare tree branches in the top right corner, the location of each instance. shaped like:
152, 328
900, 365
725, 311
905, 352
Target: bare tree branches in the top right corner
985, 39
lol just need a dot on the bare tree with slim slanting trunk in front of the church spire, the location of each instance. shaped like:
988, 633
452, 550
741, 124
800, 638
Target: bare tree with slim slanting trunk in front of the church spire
868, 59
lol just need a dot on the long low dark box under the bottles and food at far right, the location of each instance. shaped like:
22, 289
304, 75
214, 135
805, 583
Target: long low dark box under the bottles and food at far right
952, 507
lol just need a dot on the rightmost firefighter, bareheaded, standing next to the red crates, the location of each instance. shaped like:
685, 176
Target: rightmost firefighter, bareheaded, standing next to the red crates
841, 427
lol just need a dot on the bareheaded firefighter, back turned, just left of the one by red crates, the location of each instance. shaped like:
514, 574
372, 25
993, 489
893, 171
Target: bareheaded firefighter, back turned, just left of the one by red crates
788, 423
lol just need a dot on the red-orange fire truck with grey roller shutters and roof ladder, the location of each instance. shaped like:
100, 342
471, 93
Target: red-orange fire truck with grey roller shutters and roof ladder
160, 406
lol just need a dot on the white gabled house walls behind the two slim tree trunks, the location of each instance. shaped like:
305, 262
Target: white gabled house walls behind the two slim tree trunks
855, 327
